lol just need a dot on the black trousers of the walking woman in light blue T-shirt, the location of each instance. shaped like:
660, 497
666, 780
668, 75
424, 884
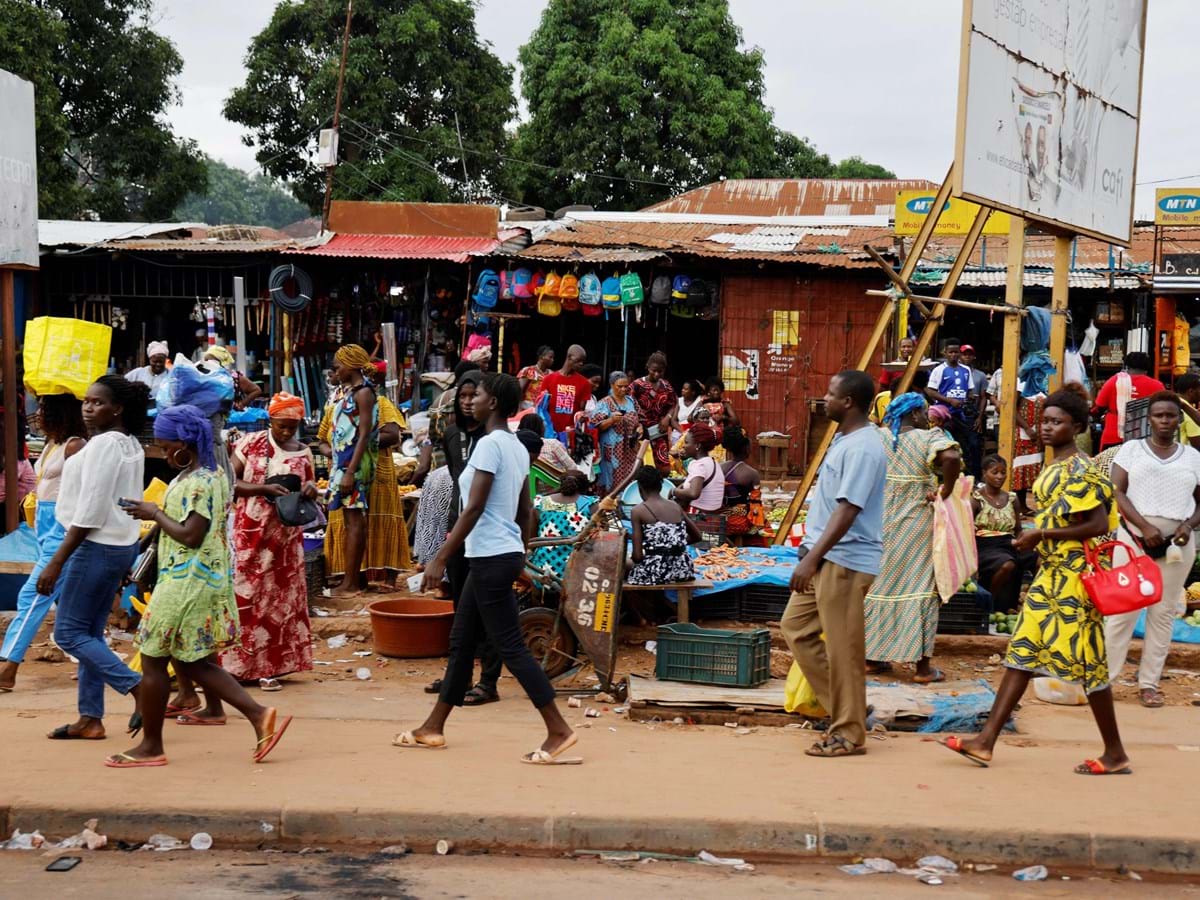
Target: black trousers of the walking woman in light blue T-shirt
488, 609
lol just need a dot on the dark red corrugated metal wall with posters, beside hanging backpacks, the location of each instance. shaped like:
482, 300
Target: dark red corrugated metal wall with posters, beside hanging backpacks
835, 321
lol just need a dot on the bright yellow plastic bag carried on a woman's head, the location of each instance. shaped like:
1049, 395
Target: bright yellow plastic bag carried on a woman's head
65, 356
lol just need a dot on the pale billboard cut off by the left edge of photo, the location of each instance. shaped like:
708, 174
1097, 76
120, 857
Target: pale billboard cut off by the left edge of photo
19, 173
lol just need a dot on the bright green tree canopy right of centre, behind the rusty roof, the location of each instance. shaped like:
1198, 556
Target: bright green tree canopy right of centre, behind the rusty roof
632, 101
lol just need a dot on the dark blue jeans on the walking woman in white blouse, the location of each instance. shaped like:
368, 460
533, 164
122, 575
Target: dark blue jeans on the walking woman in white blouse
88, 585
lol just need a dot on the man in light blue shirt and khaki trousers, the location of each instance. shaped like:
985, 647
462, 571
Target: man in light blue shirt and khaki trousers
839, 560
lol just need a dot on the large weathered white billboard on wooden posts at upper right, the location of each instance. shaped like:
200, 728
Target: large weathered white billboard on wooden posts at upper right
1049, 99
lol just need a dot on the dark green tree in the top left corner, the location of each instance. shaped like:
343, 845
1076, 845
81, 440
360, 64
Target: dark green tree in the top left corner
105, 81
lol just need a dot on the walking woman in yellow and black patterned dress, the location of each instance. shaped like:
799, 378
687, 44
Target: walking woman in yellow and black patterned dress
1060, 633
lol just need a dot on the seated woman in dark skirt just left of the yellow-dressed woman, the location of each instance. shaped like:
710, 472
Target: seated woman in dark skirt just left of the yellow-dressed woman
997, 525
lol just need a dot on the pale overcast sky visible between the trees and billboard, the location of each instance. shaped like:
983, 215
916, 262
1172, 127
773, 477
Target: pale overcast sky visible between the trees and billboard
878, 79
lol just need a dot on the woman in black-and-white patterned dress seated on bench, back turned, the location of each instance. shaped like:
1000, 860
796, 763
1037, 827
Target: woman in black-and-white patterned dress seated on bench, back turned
662, 535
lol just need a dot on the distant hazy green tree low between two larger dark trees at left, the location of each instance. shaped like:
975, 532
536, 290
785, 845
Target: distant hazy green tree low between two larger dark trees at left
235, 197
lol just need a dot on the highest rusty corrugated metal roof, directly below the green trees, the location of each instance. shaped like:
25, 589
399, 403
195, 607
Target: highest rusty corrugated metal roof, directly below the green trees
794, 197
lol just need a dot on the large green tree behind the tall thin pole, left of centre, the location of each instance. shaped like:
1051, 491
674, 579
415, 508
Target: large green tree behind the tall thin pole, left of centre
412, 67
